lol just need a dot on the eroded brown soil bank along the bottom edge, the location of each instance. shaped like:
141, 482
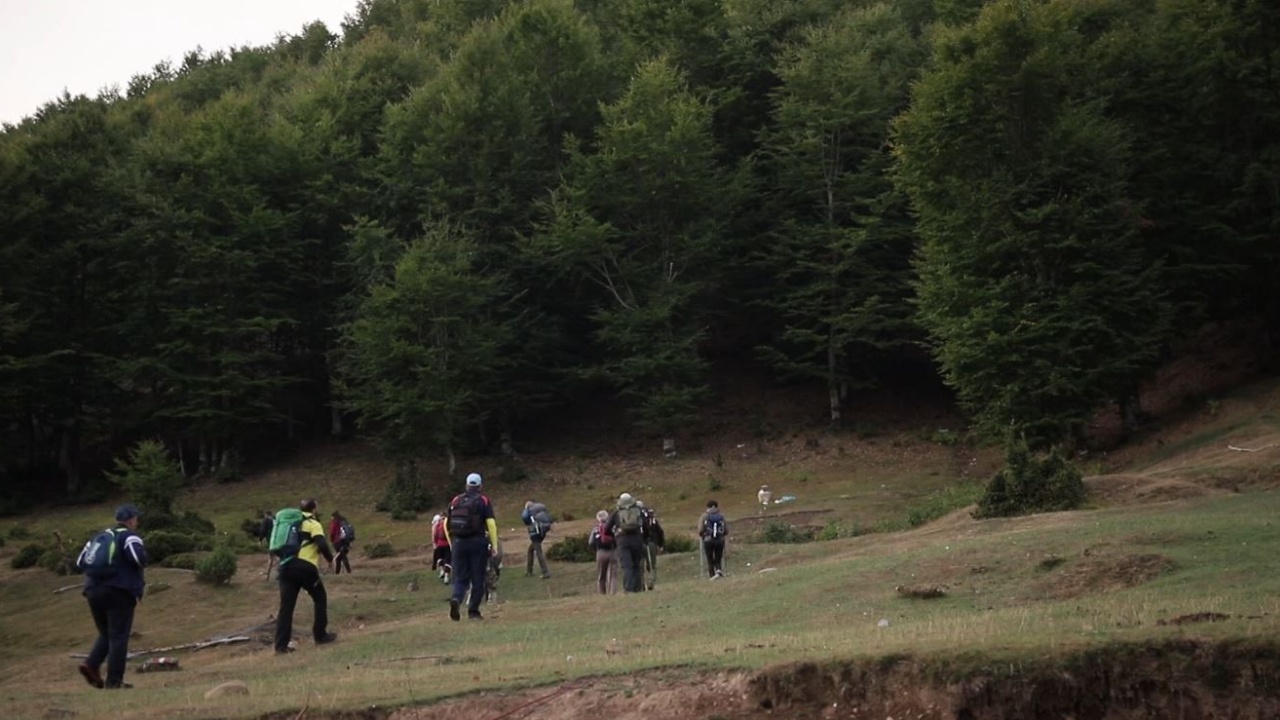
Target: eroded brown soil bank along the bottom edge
1172, 681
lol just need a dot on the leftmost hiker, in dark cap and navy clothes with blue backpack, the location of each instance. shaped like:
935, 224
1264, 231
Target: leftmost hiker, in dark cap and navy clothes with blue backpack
113, 563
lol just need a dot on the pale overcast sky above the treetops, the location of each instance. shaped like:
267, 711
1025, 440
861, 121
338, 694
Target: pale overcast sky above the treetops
85, 45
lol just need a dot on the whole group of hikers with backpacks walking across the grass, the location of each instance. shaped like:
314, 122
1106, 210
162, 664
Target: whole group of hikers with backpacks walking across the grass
467, 554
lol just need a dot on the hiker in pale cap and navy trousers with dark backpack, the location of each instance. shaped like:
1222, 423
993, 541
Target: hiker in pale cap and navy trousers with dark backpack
474, 539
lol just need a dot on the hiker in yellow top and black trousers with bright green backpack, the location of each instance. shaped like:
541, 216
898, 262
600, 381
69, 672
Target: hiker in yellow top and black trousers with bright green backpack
300, 571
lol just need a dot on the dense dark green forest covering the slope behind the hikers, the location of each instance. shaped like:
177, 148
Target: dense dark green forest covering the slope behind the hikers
449, 221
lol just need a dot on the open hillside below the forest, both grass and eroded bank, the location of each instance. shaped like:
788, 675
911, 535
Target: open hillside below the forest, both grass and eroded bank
1163, 580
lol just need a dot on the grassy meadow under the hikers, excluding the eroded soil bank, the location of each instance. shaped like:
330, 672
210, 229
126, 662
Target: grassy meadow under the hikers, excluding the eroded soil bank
1178, 526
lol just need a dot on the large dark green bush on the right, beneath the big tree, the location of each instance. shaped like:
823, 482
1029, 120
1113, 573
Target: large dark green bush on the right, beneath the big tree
1032, 484
